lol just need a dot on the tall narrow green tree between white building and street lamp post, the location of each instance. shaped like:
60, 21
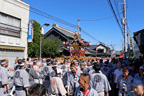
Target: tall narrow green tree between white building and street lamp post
34, 47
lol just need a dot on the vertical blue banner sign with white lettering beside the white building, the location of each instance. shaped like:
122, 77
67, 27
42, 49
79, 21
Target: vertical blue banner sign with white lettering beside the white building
30, 31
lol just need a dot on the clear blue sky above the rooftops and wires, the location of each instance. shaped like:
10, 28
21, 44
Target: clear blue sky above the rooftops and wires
104, 30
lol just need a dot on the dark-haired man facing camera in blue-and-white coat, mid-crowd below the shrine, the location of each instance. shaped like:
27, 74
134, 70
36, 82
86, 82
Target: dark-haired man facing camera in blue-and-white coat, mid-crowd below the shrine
72, 81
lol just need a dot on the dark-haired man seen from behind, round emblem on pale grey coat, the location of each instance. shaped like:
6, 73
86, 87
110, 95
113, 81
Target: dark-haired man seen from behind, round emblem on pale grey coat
99, 82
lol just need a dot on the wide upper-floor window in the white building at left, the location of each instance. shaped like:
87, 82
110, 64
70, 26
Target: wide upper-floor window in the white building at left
9, 25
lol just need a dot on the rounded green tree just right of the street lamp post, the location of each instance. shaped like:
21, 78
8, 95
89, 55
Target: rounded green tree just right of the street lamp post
51, 47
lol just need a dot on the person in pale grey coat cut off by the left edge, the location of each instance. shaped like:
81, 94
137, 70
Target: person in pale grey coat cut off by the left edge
3, 77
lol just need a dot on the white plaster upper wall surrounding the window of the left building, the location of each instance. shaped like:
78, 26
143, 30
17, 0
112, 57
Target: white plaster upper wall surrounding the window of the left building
19, 9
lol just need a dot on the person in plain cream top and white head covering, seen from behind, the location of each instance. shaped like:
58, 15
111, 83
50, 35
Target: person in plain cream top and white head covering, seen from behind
57, 84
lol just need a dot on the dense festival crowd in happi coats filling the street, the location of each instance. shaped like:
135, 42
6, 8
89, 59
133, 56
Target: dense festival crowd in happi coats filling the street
48, 77
